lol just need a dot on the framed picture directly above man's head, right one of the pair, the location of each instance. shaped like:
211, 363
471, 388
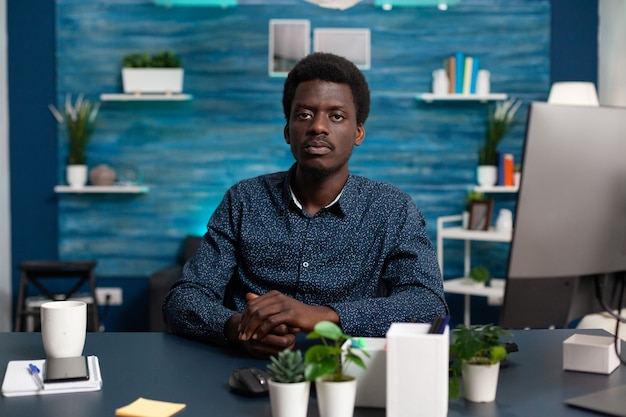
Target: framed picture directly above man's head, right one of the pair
353, 44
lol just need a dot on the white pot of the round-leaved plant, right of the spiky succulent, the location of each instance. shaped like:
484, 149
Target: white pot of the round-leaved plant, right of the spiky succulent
335, 399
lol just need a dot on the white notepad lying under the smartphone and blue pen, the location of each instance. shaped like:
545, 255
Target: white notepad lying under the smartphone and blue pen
19, 382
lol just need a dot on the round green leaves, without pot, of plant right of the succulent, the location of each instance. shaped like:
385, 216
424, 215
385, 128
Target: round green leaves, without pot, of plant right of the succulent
328, 359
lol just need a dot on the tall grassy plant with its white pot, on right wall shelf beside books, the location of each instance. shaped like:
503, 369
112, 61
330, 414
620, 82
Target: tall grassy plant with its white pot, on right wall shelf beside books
499, 121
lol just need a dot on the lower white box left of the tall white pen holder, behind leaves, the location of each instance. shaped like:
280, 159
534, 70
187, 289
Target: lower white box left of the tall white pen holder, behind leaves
371, 383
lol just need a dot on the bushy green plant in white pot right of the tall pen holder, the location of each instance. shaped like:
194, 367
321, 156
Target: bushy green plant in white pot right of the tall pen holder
476, 352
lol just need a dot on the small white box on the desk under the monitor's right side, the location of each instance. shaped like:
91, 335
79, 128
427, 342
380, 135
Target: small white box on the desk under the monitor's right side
587, 353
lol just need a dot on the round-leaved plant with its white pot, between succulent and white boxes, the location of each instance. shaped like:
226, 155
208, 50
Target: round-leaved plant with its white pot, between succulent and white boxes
326, 364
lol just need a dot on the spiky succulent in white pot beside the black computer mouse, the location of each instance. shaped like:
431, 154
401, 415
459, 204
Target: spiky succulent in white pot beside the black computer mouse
289, 391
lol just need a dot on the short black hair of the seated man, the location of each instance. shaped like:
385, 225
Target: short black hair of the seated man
332, 68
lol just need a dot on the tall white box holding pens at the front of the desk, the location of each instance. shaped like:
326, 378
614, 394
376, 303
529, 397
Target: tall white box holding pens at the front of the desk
417, 371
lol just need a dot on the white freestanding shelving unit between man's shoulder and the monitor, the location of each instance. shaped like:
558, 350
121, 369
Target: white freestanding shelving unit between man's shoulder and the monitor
449, 227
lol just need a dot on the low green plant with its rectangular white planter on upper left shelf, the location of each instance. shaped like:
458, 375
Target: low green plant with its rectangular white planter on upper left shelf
158, 73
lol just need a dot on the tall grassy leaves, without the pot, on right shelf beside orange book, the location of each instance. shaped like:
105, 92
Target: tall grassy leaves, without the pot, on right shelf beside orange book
500, 119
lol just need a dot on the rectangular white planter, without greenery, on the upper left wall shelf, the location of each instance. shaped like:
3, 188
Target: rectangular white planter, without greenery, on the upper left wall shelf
152, 80
